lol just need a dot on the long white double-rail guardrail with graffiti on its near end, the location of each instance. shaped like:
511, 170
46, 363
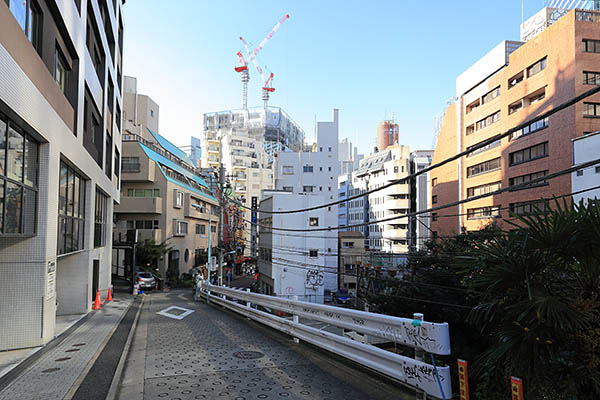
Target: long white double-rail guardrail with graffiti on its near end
428, 336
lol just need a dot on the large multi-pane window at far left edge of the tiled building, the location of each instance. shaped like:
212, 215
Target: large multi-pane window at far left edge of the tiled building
18, 180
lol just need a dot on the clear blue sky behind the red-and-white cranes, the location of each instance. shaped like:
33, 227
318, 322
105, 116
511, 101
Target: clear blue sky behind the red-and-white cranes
370, 59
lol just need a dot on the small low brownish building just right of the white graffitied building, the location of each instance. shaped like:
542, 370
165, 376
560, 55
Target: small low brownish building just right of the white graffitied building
351, 257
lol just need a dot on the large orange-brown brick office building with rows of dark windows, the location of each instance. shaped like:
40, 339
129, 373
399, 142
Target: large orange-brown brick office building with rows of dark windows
511, 84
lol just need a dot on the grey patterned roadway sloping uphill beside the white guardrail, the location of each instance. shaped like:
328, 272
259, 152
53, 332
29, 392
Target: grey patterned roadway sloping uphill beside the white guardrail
215, 354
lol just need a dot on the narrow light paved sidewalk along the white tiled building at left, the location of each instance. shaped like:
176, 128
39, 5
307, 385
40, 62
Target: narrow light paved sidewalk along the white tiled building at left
60, 370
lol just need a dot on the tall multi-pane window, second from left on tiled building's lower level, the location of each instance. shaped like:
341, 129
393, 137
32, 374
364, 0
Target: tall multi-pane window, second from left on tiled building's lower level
71, 210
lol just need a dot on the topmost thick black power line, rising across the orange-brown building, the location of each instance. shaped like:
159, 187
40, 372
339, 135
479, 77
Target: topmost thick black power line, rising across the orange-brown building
482, 144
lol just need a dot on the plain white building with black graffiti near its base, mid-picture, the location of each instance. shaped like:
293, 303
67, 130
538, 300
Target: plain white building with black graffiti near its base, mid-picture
309, 178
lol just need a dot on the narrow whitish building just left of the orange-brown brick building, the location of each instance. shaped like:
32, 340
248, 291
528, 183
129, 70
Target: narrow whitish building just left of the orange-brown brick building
419, 228
